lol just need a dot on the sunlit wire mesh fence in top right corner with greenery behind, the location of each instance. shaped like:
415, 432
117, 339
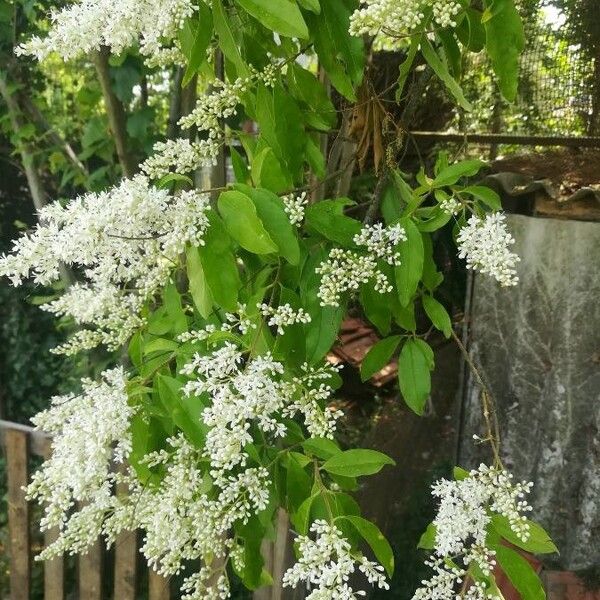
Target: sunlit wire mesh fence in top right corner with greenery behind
558, 84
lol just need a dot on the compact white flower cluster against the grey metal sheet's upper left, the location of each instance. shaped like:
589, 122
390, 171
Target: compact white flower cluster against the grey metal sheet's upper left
485, 244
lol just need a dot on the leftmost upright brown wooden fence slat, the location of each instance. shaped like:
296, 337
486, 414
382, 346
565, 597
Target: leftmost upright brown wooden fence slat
15, 442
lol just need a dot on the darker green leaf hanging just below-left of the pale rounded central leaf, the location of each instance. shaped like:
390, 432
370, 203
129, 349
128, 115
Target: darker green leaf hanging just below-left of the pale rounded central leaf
219, 264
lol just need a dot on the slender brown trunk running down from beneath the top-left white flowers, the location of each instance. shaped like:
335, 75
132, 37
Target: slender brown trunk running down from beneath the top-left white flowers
115, 112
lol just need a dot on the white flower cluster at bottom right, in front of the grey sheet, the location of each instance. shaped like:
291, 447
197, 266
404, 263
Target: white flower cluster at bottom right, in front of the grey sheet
461, 523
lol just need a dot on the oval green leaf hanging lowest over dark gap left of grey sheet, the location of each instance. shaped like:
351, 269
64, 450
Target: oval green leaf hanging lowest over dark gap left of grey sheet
414, 376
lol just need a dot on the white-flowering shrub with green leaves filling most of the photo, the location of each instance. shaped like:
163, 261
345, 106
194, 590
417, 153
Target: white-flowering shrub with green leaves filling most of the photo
232, 296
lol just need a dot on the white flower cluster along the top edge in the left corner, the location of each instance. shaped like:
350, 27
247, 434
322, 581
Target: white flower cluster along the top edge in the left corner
89, 24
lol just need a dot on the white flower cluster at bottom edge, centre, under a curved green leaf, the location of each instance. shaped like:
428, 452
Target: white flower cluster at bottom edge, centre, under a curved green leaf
326, 564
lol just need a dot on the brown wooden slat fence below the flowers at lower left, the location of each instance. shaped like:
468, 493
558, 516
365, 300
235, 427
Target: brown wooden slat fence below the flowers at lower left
20, 443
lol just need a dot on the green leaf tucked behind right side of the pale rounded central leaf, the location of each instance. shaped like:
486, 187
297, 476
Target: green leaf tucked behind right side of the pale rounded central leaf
275, 220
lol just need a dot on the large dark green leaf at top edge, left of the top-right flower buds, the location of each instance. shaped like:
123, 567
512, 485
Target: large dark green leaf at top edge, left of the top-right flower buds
341, 54
